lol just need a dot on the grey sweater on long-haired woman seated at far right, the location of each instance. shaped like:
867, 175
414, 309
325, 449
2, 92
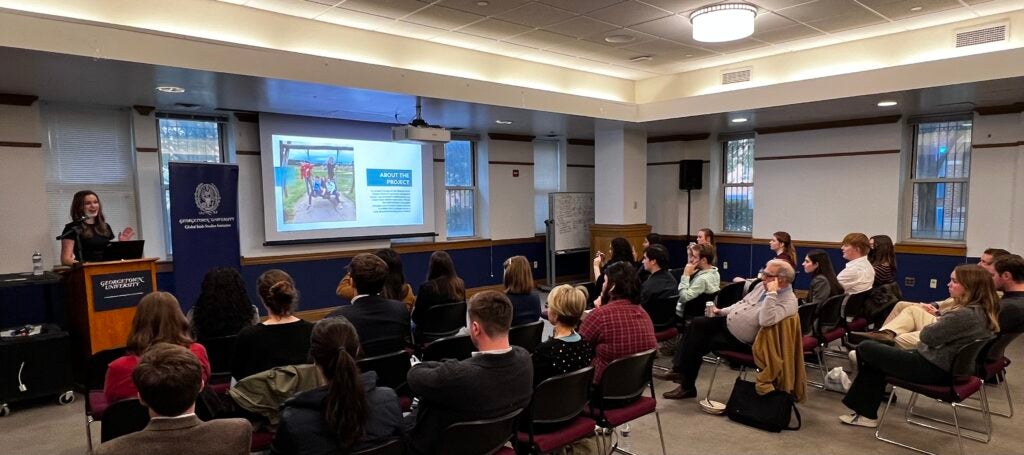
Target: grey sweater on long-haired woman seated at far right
941, 342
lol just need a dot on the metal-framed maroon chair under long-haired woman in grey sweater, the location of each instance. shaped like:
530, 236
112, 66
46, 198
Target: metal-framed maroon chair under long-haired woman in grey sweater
963, 384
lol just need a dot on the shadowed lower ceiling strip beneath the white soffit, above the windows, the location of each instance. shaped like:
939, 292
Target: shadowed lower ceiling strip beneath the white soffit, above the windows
56, 77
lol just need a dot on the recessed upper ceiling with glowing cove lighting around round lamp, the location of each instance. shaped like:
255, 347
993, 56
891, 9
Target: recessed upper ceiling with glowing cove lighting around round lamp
572, 33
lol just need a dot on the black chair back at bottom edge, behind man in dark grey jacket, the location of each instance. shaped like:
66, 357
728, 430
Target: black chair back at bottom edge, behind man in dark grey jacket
481, 437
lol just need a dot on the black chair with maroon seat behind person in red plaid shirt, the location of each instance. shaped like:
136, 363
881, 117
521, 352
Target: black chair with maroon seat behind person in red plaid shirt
619, 399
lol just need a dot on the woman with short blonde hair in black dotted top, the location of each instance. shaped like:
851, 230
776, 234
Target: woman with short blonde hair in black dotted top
566, 351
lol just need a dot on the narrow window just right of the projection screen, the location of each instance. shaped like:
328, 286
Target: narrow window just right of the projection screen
460, 188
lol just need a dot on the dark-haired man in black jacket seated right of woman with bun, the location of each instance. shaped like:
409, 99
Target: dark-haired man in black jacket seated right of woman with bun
382, 324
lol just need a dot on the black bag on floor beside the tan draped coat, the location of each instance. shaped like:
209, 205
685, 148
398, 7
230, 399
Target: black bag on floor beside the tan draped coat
771, 412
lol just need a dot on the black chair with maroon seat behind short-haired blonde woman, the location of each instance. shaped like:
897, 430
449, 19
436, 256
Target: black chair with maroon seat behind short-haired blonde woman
557, 404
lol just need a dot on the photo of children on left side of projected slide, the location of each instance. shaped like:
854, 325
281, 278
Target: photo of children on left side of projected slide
318, 183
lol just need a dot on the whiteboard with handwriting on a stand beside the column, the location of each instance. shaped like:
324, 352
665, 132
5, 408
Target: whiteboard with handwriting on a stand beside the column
572, 214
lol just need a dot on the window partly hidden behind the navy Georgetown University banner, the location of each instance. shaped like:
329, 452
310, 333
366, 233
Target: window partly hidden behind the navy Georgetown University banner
189, 139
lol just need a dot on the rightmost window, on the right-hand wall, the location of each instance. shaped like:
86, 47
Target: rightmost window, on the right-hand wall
940, 178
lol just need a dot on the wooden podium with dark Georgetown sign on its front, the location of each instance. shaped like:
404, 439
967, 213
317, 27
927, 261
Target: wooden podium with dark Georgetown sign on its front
102, 300
